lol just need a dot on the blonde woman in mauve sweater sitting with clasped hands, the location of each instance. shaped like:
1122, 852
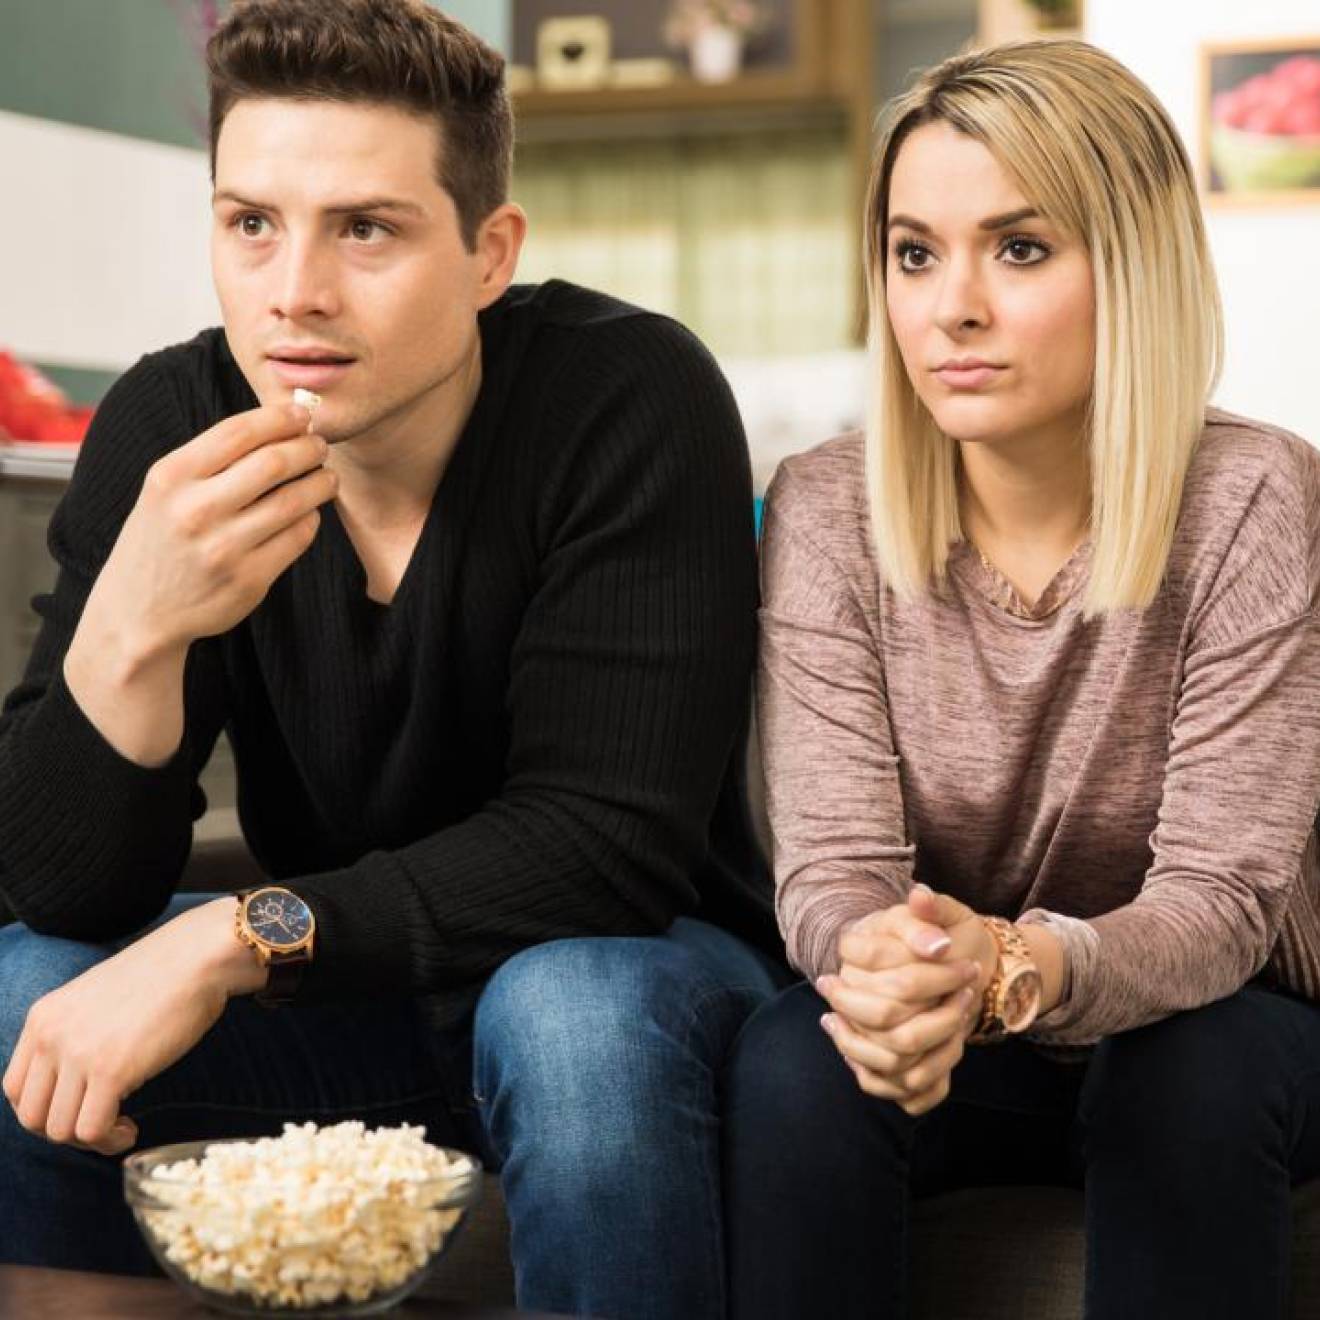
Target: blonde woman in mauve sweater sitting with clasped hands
1042, 649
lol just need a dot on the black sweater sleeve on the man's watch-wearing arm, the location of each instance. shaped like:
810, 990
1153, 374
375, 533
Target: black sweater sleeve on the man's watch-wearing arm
628, 684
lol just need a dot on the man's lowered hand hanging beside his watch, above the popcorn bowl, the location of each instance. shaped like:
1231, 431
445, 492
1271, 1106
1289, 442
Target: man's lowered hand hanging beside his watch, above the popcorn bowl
93, 1042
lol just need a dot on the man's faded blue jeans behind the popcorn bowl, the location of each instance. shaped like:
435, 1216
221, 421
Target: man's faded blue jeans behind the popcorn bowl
589, 1078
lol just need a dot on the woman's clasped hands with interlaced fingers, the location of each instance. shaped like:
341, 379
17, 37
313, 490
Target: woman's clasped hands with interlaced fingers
907, 996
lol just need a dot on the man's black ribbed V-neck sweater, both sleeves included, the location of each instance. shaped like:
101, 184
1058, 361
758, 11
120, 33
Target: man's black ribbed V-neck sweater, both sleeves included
539, 737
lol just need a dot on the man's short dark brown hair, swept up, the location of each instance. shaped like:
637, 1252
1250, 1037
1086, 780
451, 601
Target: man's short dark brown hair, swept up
390, 52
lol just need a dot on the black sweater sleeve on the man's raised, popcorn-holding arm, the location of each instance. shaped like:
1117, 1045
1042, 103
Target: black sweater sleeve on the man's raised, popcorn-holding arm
92, 845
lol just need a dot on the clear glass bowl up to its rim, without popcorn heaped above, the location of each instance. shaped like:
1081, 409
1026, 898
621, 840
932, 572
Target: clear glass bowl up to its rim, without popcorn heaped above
310, 1247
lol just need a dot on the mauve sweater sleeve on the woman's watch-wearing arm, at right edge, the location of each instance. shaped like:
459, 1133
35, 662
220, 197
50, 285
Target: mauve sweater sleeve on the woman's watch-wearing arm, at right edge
1241, 789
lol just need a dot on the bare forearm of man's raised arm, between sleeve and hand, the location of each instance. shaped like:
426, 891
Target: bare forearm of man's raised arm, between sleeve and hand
131, 692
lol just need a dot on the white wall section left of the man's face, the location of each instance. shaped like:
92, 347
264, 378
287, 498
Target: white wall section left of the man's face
105, 242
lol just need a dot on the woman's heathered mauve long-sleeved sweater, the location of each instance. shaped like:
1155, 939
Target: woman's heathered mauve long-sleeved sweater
1146, 782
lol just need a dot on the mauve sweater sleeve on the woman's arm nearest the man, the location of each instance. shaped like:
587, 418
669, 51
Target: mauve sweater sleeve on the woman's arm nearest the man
832, 777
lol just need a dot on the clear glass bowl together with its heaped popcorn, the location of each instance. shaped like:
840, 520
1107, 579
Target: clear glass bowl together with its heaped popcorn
319, 1222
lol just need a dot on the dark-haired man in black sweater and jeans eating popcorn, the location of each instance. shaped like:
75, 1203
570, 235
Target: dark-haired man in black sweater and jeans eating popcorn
480, 630
